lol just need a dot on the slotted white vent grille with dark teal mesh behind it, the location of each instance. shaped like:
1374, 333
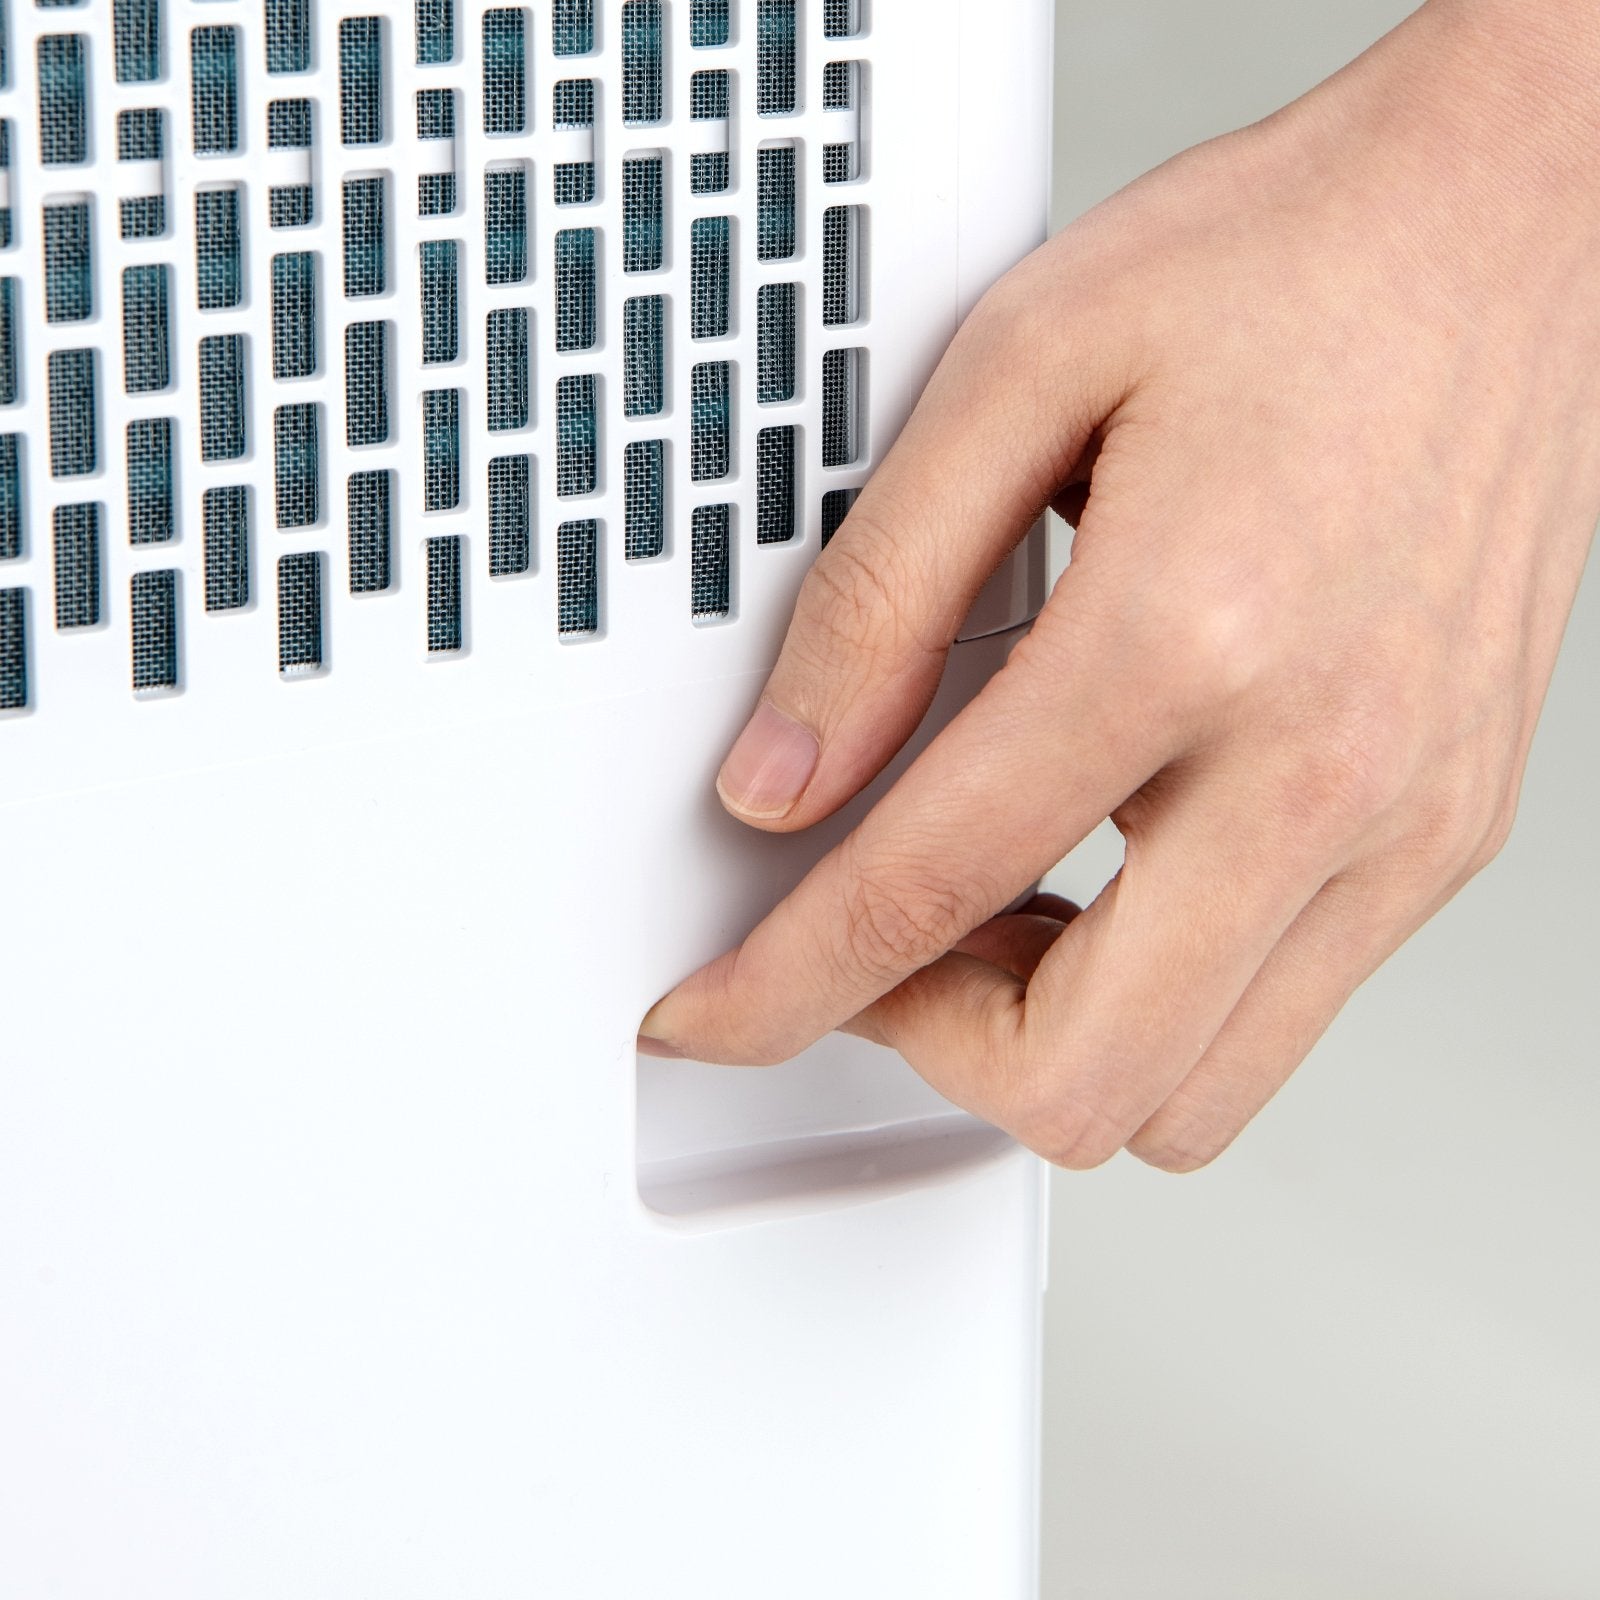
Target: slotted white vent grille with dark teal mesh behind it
671, 329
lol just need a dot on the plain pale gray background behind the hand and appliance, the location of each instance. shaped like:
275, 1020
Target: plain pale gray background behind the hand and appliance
1361, 1356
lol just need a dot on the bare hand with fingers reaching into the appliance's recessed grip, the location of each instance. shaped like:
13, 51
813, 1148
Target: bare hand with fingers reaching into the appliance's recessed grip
1322, 401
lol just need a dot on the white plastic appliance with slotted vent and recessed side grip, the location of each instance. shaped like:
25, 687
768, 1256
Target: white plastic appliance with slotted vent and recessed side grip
414, 430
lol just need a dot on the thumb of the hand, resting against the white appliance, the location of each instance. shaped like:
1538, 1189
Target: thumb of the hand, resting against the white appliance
1002, 426
